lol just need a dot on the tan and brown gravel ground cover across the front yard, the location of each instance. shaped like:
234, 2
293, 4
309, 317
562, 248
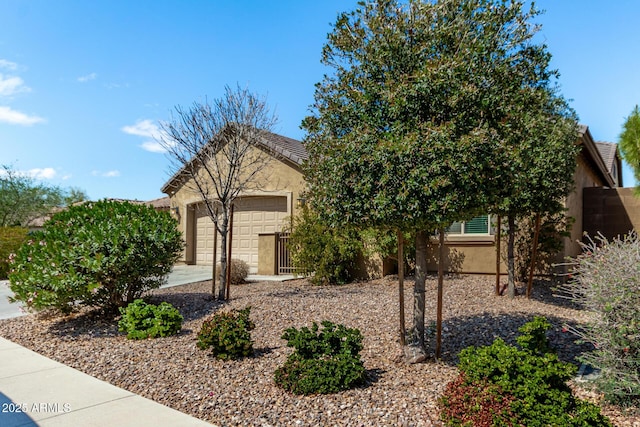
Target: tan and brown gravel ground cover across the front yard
174, 372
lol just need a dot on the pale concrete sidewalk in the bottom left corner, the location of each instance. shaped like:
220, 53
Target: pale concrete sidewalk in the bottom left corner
36, 391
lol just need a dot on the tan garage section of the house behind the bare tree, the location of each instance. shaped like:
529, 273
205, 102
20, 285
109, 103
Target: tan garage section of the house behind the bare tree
258, 215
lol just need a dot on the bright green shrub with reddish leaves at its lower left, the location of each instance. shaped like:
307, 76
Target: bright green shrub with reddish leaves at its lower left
530, 379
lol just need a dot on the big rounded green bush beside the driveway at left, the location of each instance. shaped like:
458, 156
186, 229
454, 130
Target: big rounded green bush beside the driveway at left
103, 254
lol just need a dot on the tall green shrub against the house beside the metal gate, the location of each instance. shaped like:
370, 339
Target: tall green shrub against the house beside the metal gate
326, 254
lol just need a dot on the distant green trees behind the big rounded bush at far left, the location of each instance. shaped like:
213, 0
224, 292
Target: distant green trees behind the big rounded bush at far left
22, 199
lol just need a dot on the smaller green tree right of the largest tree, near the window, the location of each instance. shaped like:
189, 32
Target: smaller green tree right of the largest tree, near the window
538, 138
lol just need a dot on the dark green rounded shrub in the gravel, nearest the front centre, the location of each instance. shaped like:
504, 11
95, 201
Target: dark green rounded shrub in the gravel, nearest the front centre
324, 361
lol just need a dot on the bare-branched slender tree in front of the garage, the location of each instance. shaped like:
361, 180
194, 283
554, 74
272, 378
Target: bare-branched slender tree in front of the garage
218, 150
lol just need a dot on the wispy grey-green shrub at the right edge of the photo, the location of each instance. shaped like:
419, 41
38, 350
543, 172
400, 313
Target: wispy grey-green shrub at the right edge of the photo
606, 281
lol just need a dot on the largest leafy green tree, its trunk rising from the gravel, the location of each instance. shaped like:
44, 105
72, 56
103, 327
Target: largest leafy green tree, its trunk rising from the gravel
411, 129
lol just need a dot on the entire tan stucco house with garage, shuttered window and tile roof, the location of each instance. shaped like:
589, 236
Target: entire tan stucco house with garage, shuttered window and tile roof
259, 216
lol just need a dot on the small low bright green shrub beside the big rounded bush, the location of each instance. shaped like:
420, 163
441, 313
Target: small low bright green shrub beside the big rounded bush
141, 320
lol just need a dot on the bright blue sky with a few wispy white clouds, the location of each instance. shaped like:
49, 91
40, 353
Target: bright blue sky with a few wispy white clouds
84, 83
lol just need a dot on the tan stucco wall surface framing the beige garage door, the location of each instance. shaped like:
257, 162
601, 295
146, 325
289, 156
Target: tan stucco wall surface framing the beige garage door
281, 178
